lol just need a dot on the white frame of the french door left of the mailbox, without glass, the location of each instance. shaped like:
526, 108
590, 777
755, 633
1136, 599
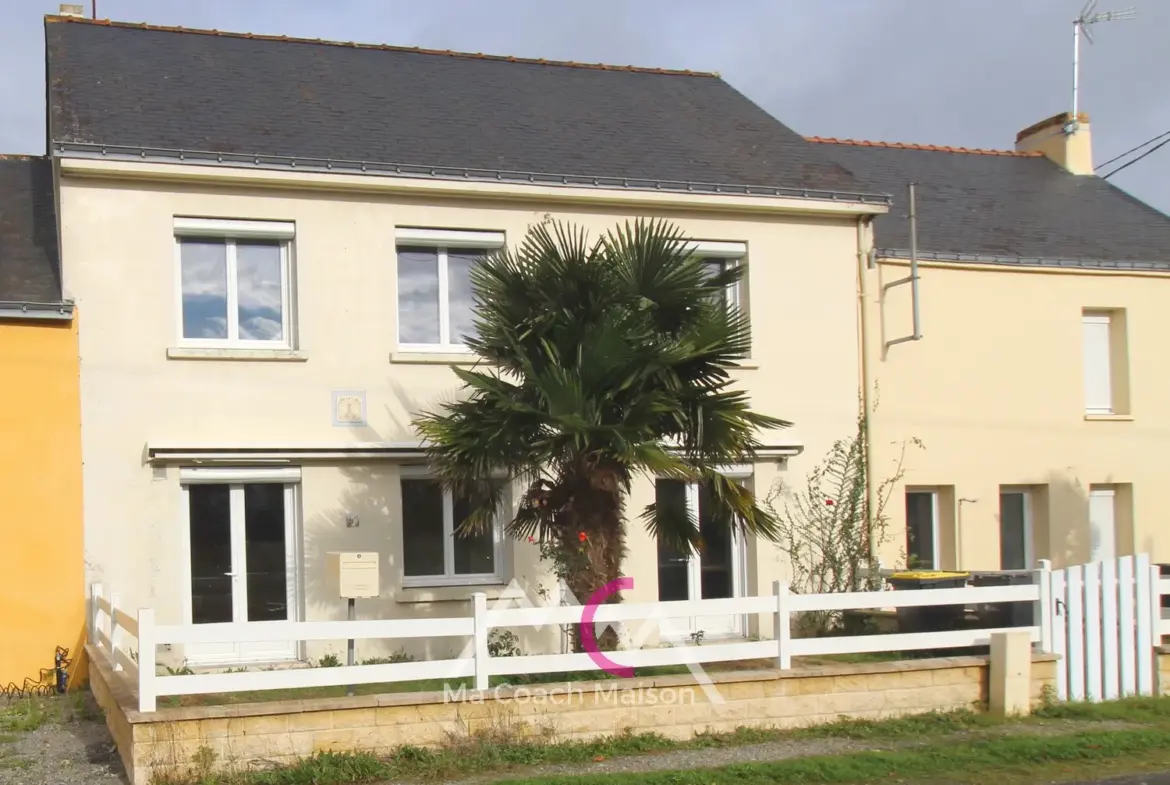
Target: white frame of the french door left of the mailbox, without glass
236, 479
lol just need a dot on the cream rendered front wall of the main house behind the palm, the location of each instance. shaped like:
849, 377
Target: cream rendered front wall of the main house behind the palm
120, 267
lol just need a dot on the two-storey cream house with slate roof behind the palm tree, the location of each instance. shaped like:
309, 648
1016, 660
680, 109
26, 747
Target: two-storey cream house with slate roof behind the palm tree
270, 243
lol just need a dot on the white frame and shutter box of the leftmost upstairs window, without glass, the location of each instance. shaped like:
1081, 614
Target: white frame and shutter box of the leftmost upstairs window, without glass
230, 232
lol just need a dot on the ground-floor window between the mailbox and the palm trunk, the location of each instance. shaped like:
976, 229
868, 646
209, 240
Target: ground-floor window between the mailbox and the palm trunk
432, 554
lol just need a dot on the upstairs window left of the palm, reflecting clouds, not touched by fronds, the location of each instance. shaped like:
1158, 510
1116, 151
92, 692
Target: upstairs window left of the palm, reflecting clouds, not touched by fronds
235, 284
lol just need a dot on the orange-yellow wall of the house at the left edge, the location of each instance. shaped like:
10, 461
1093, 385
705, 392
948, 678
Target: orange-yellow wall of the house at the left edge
42, 583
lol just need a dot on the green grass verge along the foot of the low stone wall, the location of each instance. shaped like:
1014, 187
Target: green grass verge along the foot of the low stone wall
962, 747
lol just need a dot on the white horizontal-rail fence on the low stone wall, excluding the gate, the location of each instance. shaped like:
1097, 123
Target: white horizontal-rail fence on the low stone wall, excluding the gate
112, 628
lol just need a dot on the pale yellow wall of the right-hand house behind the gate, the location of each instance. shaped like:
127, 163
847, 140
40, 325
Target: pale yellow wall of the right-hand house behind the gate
995, 391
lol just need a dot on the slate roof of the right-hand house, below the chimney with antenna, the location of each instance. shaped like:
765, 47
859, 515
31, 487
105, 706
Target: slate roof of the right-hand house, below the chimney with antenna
1006, 208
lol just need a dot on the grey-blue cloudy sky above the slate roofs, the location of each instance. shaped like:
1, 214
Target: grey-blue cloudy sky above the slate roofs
959, 73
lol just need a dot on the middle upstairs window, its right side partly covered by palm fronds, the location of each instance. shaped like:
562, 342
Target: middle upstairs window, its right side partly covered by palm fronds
435, 288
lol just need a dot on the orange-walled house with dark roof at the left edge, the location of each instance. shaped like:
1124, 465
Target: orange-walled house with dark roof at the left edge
42, 600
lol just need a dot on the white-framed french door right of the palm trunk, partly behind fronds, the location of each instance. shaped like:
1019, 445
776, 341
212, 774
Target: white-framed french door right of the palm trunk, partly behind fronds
718, 573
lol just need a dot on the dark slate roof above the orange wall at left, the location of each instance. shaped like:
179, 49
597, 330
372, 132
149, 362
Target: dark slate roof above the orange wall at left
29, 232
